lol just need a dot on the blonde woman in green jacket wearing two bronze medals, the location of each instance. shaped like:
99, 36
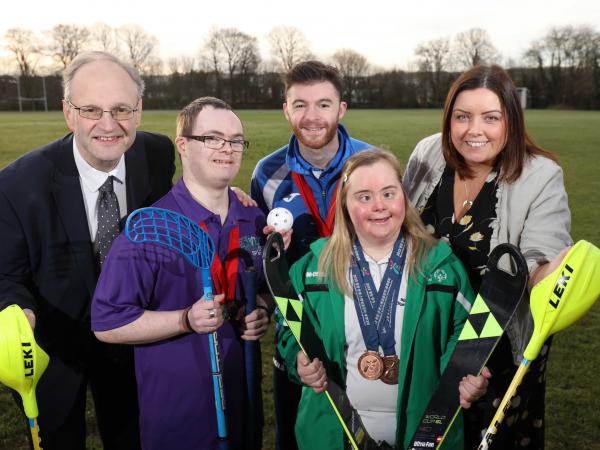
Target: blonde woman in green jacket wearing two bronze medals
388, 346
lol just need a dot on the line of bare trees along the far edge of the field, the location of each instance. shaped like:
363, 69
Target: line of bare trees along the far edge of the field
560, 70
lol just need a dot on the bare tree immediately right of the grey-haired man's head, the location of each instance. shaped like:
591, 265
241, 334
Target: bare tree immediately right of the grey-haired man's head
140, 48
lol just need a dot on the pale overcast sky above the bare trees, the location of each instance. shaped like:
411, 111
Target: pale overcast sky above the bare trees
385, 31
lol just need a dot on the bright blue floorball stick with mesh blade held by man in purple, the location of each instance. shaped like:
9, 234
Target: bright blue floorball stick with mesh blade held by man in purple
178, 233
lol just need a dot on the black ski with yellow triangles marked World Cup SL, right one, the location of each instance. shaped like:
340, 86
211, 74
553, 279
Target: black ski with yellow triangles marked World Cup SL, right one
493, 308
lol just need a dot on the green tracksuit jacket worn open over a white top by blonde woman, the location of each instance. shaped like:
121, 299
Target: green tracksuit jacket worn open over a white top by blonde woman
436, 308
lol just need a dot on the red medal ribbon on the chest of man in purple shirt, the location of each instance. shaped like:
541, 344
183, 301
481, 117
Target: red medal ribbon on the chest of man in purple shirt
225, 278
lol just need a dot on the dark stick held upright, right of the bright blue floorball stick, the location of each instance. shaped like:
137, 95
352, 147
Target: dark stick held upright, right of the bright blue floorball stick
248, 278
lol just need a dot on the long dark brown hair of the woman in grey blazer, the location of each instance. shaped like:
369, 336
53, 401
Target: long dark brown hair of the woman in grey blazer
519, 145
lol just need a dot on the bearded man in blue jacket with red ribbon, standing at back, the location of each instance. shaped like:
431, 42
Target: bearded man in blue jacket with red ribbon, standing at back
302, 177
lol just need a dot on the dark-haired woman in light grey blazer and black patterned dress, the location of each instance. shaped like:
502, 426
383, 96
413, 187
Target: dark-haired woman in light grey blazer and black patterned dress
479, 183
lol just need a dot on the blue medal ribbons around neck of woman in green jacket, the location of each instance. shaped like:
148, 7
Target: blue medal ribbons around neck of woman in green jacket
376, 310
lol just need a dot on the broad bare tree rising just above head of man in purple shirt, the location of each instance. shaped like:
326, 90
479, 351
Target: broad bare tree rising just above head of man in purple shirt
233, 52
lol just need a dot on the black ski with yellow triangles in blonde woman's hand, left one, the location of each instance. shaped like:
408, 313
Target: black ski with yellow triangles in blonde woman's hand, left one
290, 307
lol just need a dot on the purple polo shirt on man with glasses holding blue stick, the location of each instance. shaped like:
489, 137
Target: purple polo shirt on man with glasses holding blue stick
175, 388
